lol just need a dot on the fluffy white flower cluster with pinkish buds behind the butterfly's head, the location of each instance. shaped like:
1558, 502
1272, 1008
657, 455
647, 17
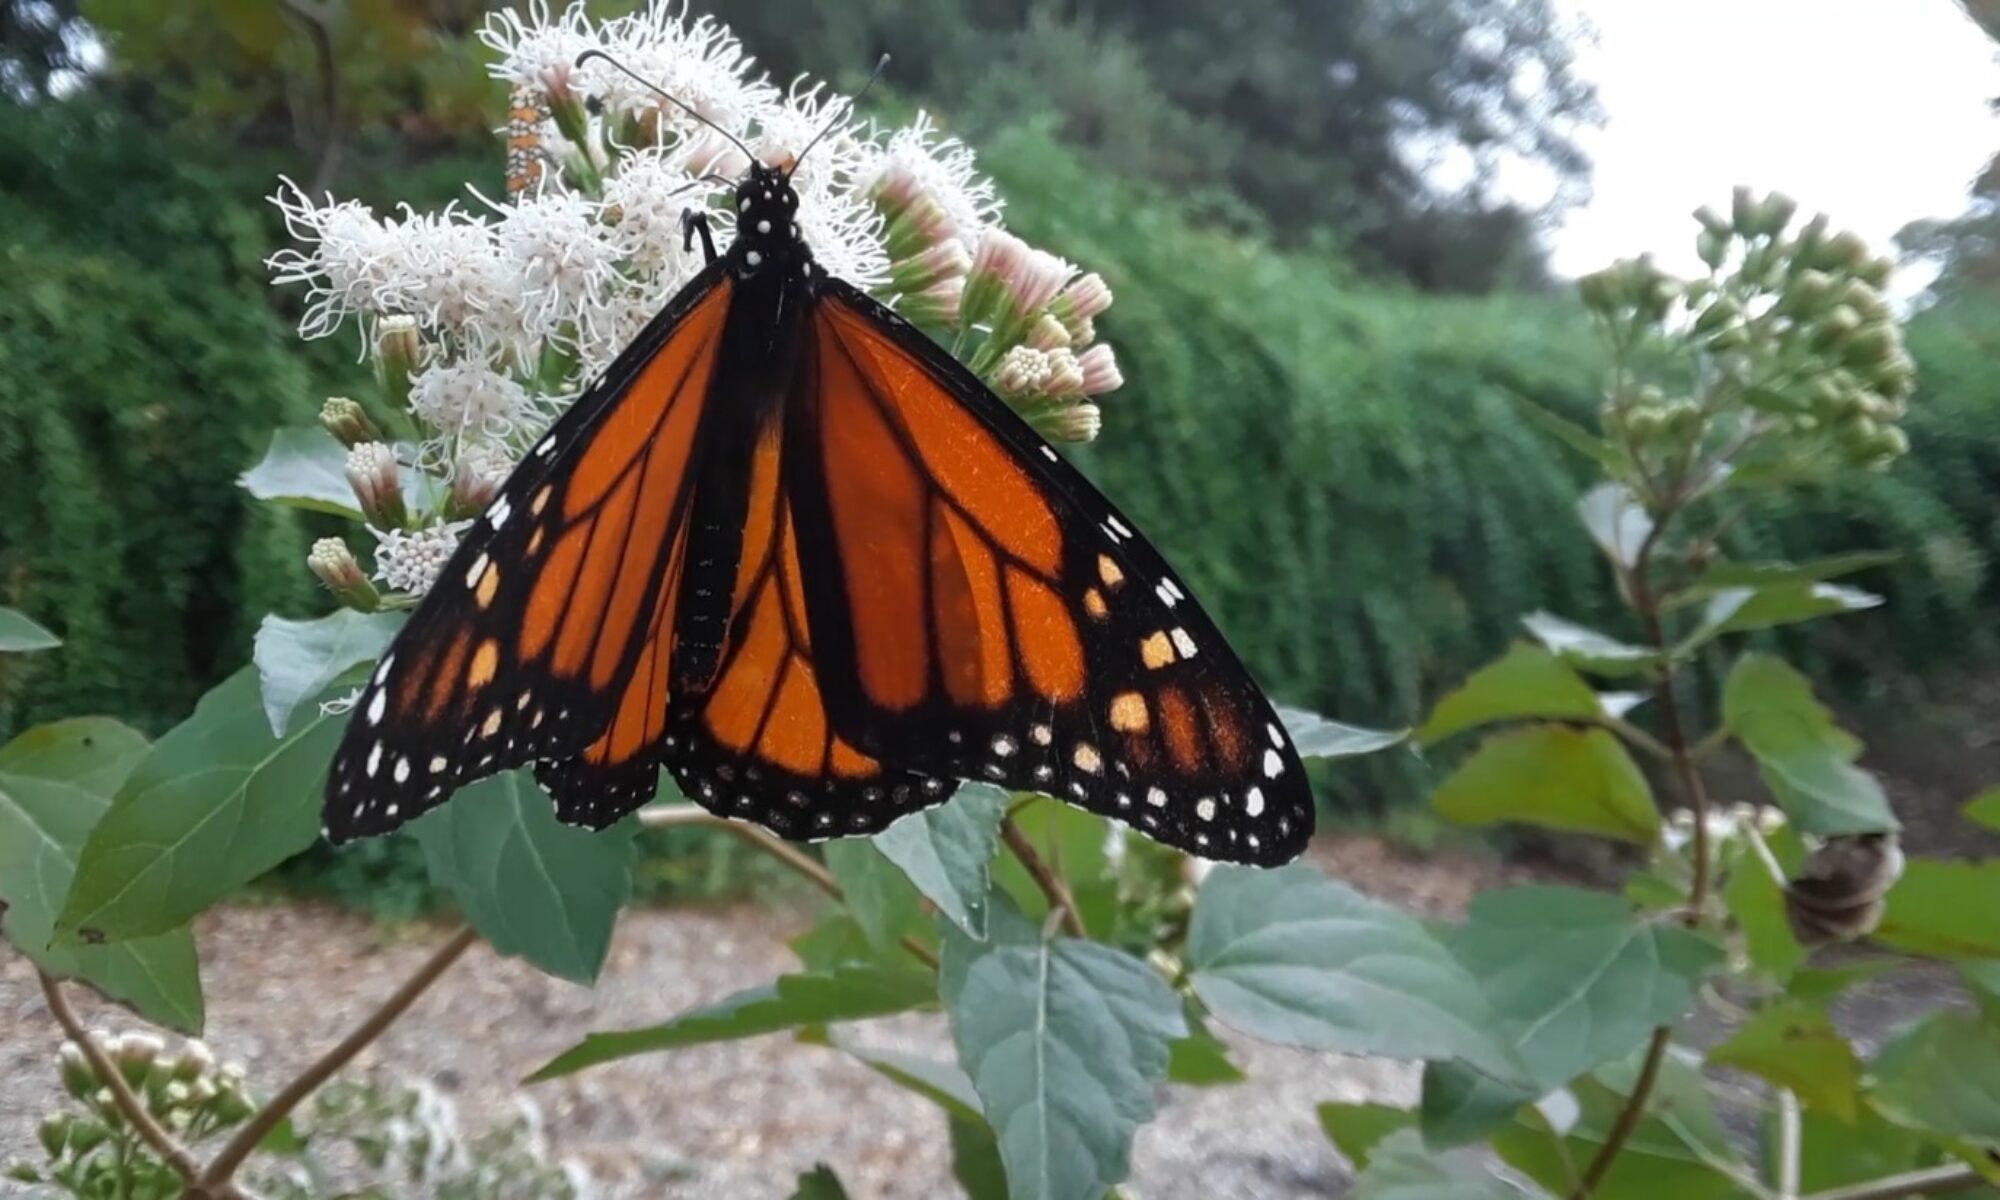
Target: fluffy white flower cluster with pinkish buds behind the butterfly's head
489, 317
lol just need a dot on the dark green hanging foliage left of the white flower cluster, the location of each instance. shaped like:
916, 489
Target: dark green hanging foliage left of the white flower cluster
143, 371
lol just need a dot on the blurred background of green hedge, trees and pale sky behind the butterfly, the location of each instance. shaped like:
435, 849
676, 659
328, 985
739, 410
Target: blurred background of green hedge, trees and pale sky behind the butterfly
1337, 233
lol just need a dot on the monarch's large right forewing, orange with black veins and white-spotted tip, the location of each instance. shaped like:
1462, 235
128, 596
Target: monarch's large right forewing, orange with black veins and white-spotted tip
979, 611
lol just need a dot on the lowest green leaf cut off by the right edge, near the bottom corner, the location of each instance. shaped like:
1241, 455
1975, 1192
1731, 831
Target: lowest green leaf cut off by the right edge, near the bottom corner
1941, 1077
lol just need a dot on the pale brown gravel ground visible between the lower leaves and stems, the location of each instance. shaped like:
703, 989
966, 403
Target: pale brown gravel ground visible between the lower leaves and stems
737, 1119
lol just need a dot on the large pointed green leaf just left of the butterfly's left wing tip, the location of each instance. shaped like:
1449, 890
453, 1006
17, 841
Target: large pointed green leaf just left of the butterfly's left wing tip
217, 803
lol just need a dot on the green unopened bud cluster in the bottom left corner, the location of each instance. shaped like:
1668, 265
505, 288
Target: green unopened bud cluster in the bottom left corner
91, 1149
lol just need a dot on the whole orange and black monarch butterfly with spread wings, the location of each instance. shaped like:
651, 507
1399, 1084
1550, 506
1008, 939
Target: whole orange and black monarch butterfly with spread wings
801, 557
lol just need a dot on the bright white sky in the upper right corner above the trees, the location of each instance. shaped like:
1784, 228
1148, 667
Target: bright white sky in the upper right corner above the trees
1873, 111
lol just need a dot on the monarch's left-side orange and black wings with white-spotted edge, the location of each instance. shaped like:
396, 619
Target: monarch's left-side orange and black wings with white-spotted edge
541, 639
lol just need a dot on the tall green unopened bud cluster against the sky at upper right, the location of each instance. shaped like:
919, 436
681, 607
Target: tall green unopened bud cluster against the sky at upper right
1799, 359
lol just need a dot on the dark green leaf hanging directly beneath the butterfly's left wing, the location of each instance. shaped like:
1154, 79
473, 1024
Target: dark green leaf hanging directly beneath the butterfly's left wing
529, 883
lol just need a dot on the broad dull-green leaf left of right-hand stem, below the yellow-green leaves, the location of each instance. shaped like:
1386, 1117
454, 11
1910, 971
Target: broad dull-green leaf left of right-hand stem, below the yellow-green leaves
1575, 977
